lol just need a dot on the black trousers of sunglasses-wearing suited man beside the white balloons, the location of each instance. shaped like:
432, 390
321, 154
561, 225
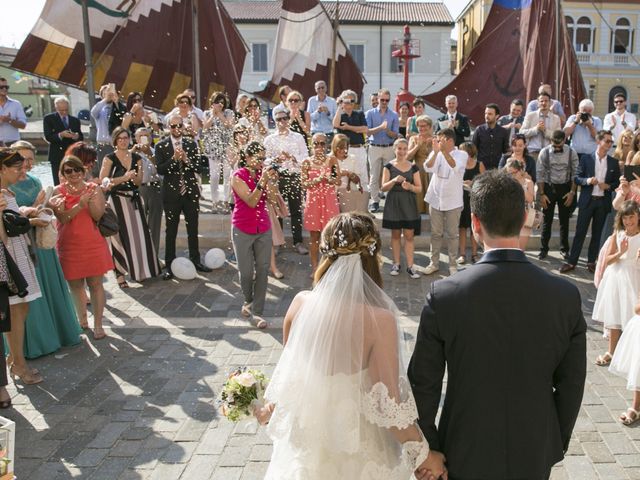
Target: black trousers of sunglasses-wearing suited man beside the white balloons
173, 207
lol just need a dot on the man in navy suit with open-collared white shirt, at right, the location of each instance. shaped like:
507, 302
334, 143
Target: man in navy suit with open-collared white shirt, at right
598, 175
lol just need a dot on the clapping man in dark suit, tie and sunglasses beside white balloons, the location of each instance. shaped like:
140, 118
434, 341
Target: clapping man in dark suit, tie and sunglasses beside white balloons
177, 159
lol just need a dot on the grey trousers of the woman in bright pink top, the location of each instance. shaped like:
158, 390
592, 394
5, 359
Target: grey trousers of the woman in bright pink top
253, 252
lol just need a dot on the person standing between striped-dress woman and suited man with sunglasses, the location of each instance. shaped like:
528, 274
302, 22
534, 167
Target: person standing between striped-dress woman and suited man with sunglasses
151, 186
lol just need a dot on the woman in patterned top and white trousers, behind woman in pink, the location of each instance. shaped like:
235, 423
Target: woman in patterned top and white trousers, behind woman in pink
216, 135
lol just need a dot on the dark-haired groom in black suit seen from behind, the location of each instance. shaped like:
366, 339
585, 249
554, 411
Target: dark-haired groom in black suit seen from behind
512, 338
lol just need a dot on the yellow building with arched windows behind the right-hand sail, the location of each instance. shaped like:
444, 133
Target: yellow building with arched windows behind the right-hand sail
605, 36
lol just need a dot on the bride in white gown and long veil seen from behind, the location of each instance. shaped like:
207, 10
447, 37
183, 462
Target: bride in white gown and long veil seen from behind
339, 402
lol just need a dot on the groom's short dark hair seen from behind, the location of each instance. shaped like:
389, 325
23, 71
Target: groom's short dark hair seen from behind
497, 199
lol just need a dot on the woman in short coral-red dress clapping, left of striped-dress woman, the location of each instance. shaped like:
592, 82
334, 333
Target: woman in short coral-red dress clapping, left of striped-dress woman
84, 253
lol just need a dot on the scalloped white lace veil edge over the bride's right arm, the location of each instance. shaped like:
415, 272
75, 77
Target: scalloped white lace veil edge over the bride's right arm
382, 410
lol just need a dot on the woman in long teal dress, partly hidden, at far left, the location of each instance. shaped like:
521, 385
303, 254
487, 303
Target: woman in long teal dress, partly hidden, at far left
52, 322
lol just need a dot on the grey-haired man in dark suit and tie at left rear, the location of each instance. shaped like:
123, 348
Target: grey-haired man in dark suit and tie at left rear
60, 130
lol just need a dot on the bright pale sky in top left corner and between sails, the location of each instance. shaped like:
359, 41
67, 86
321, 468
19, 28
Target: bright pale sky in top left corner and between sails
22, 15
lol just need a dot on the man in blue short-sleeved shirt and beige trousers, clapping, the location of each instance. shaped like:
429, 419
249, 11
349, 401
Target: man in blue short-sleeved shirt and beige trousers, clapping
383, 127
